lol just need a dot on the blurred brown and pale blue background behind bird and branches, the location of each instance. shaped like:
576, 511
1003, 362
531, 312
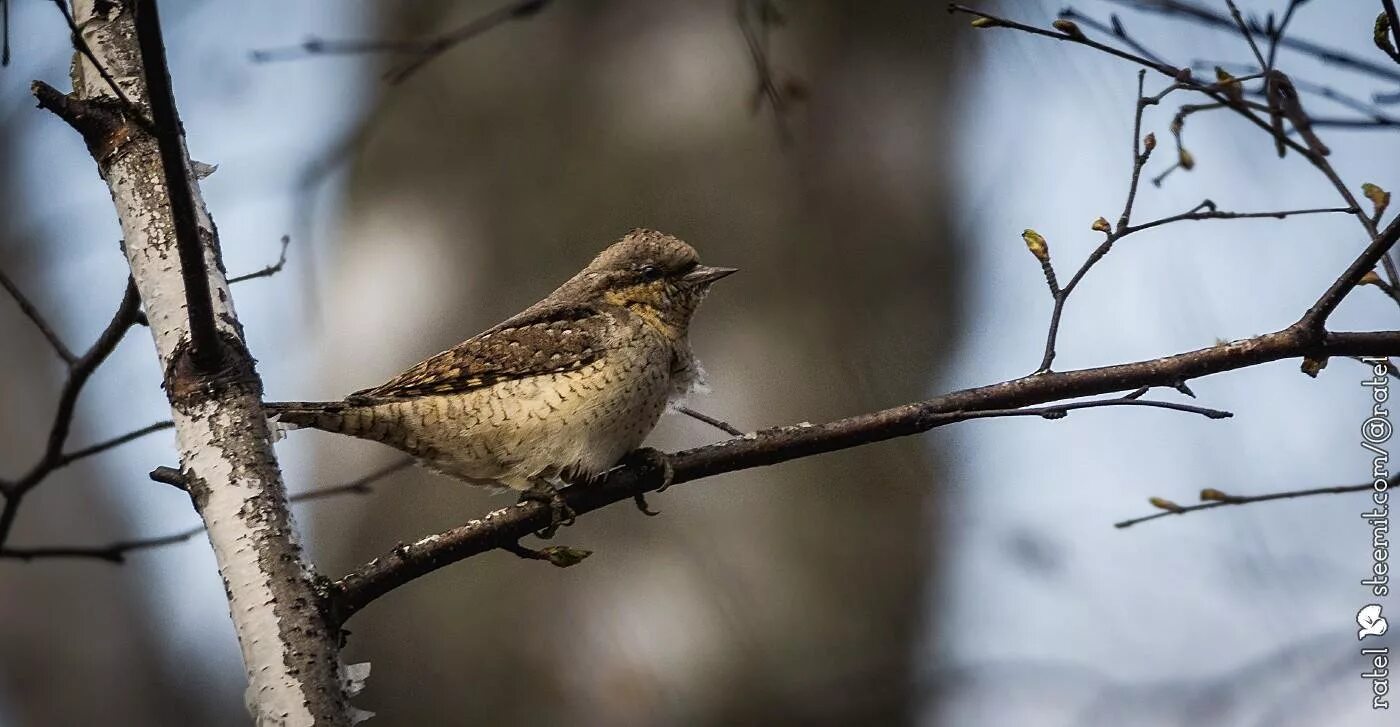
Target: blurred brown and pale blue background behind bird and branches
971, 576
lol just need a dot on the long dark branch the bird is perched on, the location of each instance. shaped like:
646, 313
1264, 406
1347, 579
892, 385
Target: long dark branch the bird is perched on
507, 526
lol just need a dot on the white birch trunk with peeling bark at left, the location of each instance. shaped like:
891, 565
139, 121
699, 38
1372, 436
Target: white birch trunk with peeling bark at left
290, 649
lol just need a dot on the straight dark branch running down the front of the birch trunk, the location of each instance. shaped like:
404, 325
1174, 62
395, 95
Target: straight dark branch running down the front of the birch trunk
206, 349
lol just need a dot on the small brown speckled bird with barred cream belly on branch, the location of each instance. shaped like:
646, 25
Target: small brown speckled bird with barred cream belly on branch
561, 393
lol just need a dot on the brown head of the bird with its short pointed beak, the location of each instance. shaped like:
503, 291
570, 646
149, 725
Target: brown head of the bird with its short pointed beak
654, 275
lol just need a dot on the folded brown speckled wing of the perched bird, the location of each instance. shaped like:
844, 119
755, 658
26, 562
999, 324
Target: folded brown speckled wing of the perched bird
544, 340
